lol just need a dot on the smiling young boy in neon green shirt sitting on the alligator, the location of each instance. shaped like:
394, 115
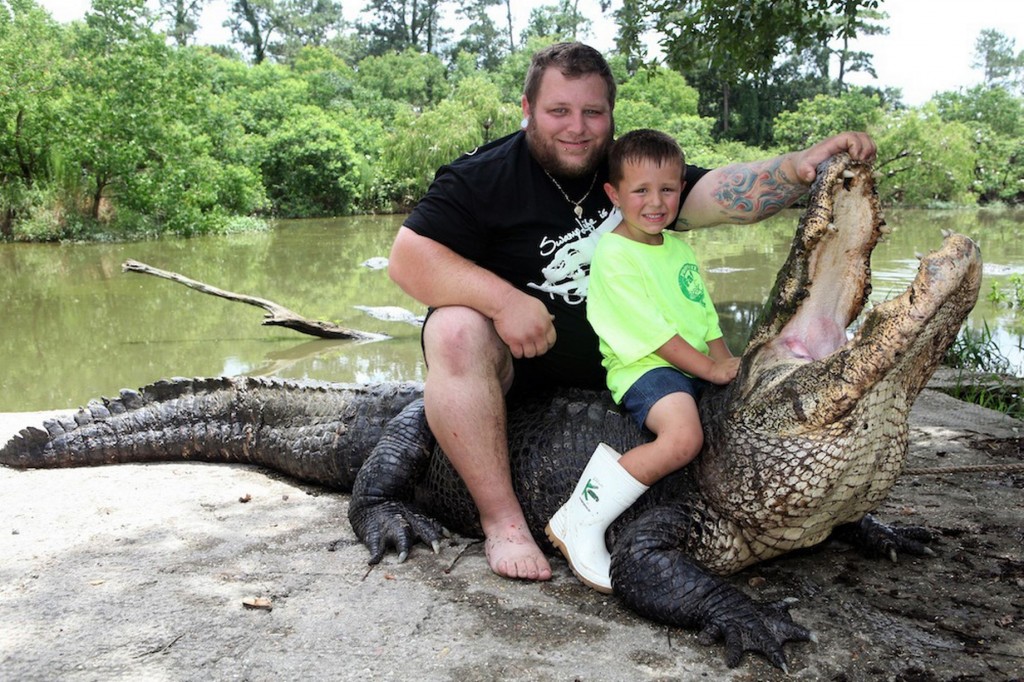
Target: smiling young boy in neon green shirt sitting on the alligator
661, 342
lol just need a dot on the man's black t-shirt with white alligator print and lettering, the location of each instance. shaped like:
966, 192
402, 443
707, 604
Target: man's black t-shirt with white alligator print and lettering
497, 207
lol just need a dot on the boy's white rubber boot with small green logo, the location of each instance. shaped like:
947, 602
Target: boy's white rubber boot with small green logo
606, 491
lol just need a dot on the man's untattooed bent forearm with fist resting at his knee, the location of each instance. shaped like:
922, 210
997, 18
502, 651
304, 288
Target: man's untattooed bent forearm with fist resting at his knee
436, 276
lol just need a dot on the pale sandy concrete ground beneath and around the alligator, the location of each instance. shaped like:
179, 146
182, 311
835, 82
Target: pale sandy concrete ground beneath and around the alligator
143, 573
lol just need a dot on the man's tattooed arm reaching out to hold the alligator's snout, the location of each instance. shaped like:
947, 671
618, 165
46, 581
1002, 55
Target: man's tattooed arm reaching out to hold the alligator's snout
747, 193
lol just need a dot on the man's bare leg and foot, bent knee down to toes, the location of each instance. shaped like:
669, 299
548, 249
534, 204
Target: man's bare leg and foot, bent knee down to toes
470, 369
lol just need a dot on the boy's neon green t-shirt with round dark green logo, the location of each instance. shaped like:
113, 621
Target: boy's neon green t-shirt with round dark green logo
639, 297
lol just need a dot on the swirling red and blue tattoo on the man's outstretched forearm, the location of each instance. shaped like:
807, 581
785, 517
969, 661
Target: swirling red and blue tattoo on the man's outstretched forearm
751, 192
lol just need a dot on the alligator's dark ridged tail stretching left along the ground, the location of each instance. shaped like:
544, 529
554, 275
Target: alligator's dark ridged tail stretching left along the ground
317, 433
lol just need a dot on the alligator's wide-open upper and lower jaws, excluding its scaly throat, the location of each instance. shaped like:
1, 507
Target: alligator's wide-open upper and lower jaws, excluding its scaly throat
801, 343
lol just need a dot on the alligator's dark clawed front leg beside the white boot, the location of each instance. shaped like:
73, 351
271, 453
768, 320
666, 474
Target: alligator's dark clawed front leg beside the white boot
655, 576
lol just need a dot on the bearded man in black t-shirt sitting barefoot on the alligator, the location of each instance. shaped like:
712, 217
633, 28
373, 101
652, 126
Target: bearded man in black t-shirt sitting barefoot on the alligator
500, 250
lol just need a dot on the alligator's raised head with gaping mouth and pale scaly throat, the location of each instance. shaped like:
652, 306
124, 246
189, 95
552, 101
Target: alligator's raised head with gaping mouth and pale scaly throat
815, 430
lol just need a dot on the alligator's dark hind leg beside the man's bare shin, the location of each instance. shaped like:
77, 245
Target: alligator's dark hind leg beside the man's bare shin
382, 511
